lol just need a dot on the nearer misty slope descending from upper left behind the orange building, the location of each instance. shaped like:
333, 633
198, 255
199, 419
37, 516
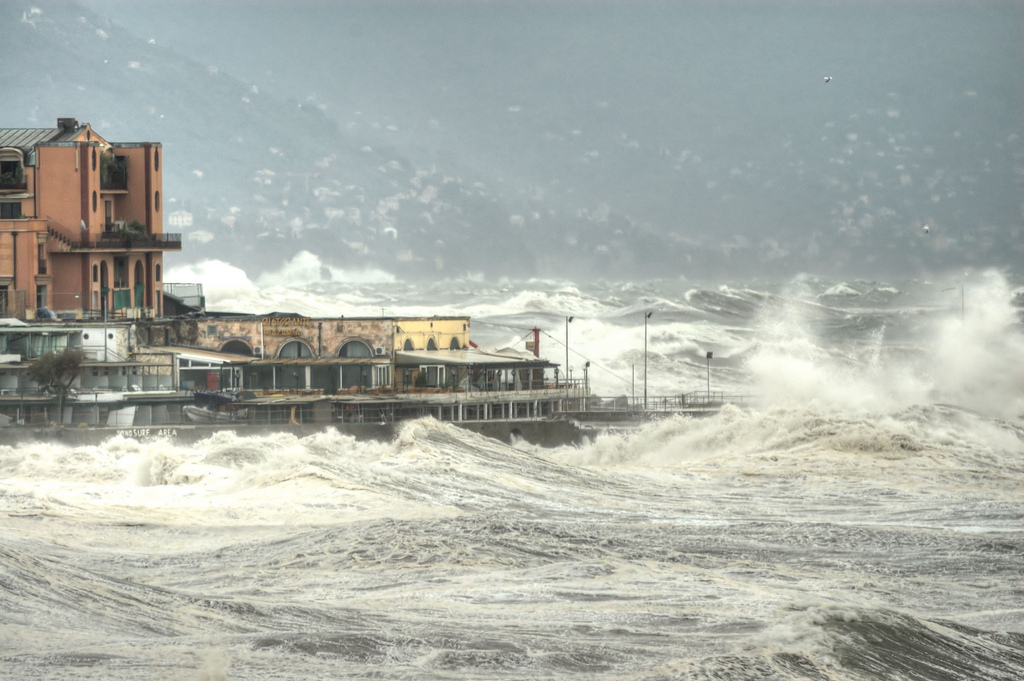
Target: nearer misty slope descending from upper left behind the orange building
265, 179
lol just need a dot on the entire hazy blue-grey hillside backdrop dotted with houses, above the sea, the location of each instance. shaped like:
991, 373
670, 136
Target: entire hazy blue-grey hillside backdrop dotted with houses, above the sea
586, 140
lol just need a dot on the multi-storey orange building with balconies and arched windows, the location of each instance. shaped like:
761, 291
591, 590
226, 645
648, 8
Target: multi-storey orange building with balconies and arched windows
81, 225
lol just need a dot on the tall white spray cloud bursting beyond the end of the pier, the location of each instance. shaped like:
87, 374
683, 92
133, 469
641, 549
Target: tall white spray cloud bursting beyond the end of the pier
967, 362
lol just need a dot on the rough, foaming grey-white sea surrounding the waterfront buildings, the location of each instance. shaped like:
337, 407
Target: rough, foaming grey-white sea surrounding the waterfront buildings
862, 517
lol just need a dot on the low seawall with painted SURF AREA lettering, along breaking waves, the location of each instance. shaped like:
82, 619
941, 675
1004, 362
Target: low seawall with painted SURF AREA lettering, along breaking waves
542, 434
